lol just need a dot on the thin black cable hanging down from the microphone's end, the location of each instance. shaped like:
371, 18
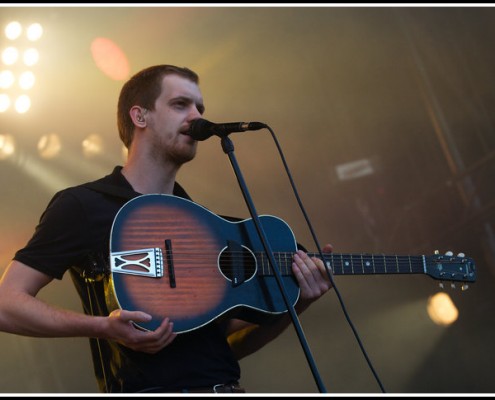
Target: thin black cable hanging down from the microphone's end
330, 276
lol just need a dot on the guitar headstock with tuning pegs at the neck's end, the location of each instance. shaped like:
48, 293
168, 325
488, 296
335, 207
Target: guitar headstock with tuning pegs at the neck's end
448, 267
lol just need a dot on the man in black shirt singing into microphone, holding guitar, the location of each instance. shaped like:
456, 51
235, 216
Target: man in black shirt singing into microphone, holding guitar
156, 115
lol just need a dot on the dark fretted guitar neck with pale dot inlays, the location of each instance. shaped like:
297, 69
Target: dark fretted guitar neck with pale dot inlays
353, 264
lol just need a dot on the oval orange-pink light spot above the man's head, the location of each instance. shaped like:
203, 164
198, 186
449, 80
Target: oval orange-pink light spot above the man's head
110, 59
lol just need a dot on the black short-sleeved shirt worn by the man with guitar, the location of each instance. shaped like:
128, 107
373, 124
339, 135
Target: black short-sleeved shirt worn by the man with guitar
73, 234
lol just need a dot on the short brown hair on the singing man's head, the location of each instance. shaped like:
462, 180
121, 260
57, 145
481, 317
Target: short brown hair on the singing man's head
143, 89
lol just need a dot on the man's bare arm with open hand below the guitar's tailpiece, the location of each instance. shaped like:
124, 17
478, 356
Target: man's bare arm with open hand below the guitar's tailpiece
22, 313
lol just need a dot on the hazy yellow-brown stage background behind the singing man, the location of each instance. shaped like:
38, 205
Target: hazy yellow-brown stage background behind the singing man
411, 89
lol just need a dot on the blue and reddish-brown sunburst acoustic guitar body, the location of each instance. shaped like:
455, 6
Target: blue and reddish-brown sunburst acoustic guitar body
193, 266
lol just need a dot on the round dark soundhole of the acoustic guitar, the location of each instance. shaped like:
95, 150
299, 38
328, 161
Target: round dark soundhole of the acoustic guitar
237, 264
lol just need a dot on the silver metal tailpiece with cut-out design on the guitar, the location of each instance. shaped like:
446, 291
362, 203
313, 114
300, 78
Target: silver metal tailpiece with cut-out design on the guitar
144, 262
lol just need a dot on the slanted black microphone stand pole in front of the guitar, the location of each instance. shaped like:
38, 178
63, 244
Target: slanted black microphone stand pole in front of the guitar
228, 148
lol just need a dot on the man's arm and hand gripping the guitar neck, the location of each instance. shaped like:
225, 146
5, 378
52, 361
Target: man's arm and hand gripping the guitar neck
245, 338
